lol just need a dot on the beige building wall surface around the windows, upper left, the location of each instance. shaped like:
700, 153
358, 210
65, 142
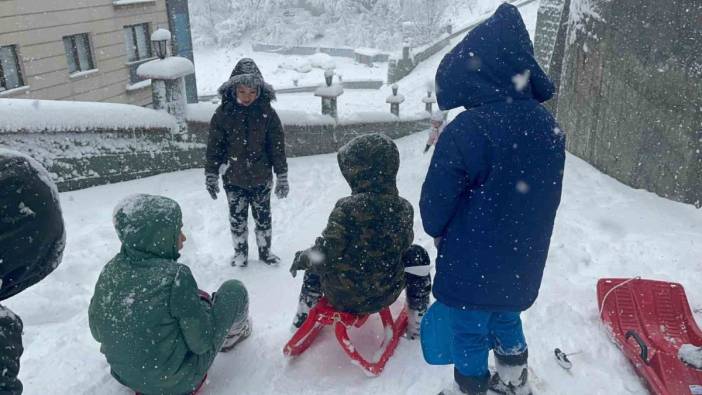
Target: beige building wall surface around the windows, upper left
37, 28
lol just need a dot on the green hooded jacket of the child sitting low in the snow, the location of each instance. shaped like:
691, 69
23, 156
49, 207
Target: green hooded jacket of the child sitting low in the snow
156, 333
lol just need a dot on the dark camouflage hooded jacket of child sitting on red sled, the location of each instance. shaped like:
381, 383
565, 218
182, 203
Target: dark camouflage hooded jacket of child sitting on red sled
367, 232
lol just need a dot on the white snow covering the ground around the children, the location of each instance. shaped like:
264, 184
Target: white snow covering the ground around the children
603, 229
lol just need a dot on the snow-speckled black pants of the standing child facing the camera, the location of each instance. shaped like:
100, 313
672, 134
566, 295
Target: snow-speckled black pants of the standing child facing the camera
259, 198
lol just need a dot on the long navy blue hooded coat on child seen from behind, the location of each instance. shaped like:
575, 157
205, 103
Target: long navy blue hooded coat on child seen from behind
494, 182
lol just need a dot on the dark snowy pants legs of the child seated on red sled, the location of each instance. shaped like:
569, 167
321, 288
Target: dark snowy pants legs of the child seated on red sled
417, 281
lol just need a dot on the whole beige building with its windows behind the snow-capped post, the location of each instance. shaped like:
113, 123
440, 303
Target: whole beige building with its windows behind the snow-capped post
86, 50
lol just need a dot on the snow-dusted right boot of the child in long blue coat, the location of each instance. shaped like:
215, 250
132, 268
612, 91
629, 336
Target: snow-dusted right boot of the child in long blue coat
511, 374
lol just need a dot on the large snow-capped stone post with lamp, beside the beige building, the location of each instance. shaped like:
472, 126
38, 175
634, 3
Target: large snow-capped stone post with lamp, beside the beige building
167, 79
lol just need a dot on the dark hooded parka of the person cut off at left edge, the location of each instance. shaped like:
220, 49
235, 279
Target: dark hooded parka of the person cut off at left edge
32, 239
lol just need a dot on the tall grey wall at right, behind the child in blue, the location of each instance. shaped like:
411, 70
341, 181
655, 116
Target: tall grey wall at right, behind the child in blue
630, 95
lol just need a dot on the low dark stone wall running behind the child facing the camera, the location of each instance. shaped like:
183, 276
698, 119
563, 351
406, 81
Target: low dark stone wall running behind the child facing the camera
81, 159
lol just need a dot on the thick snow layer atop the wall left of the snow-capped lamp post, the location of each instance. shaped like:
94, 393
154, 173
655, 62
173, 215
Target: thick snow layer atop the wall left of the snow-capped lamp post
27, 115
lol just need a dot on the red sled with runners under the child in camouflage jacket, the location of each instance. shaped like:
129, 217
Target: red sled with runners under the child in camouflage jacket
324, 314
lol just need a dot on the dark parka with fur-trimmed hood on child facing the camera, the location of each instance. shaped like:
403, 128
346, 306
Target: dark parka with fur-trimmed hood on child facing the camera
246, 141
